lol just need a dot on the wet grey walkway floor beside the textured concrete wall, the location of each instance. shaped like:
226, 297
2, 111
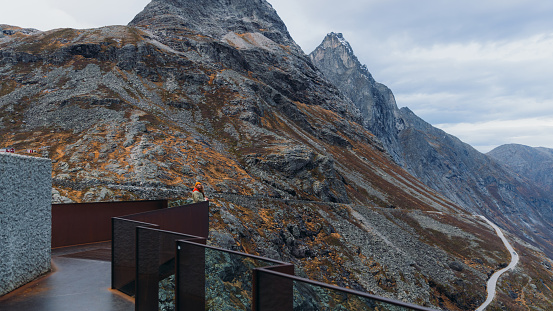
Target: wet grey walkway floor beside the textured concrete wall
81, 281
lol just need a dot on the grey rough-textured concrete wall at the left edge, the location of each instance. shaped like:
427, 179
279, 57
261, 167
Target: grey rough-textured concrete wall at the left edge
25, 219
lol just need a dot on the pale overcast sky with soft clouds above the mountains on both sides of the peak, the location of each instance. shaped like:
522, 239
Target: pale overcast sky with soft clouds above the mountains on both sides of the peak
480, 70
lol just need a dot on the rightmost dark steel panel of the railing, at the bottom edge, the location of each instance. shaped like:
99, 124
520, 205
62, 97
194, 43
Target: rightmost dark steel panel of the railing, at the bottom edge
271, 292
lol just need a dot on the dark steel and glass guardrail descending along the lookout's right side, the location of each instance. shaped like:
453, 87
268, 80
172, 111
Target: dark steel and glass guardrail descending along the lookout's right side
161, 258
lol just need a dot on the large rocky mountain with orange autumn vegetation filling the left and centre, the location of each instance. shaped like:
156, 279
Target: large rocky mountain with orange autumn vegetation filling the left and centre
217, 91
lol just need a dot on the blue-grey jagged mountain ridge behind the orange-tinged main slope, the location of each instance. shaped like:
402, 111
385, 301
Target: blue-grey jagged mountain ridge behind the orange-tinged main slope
474, 181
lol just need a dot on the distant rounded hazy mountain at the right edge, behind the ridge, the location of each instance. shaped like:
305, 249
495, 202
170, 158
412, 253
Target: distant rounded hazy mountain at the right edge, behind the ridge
535, 164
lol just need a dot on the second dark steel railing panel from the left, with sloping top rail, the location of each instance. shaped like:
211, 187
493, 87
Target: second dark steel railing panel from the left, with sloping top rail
155, 261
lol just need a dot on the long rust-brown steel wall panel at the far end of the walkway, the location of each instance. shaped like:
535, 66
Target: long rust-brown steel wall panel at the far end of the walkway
83, 223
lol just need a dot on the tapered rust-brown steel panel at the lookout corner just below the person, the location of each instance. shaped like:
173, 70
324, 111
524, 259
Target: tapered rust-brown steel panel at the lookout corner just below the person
190, 219
